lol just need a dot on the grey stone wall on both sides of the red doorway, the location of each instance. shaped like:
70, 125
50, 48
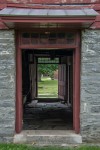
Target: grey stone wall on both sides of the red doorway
90, 85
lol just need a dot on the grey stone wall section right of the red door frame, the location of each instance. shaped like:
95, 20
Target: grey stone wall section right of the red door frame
90, 85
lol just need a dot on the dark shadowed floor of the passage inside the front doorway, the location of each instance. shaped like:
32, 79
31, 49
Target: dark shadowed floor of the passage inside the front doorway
47, 116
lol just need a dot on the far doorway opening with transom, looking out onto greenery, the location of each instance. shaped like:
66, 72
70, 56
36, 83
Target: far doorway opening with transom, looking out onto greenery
47, 75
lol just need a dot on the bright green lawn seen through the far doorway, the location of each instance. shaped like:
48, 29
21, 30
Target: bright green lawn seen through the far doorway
48, 87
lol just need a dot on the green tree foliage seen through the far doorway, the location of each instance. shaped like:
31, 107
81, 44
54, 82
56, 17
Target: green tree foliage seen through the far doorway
47, 69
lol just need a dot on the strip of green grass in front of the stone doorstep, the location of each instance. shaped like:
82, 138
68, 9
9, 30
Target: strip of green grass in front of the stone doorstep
25, 147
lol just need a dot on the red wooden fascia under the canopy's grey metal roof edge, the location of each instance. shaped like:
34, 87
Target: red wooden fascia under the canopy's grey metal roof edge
72, 21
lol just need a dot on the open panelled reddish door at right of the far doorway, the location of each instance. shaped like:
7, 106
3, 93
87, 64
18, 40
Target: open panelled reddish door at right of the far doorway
62, 81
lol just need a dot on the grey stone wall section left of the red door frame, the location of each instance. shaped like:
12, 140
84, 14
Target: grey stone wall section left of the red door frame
7, 85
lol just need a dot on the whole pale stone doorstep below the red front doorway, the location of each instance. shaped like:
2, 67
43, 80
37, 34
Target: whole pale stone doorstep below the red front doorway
49, 137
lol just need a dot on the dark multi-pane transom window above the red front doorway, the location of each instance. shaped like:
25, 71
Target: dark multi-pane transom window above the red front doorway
48, 38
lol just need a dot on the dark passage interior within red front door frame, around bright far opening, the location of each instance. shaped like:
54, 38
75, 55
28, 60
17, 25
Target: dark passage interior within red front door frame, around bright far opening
47, 113
